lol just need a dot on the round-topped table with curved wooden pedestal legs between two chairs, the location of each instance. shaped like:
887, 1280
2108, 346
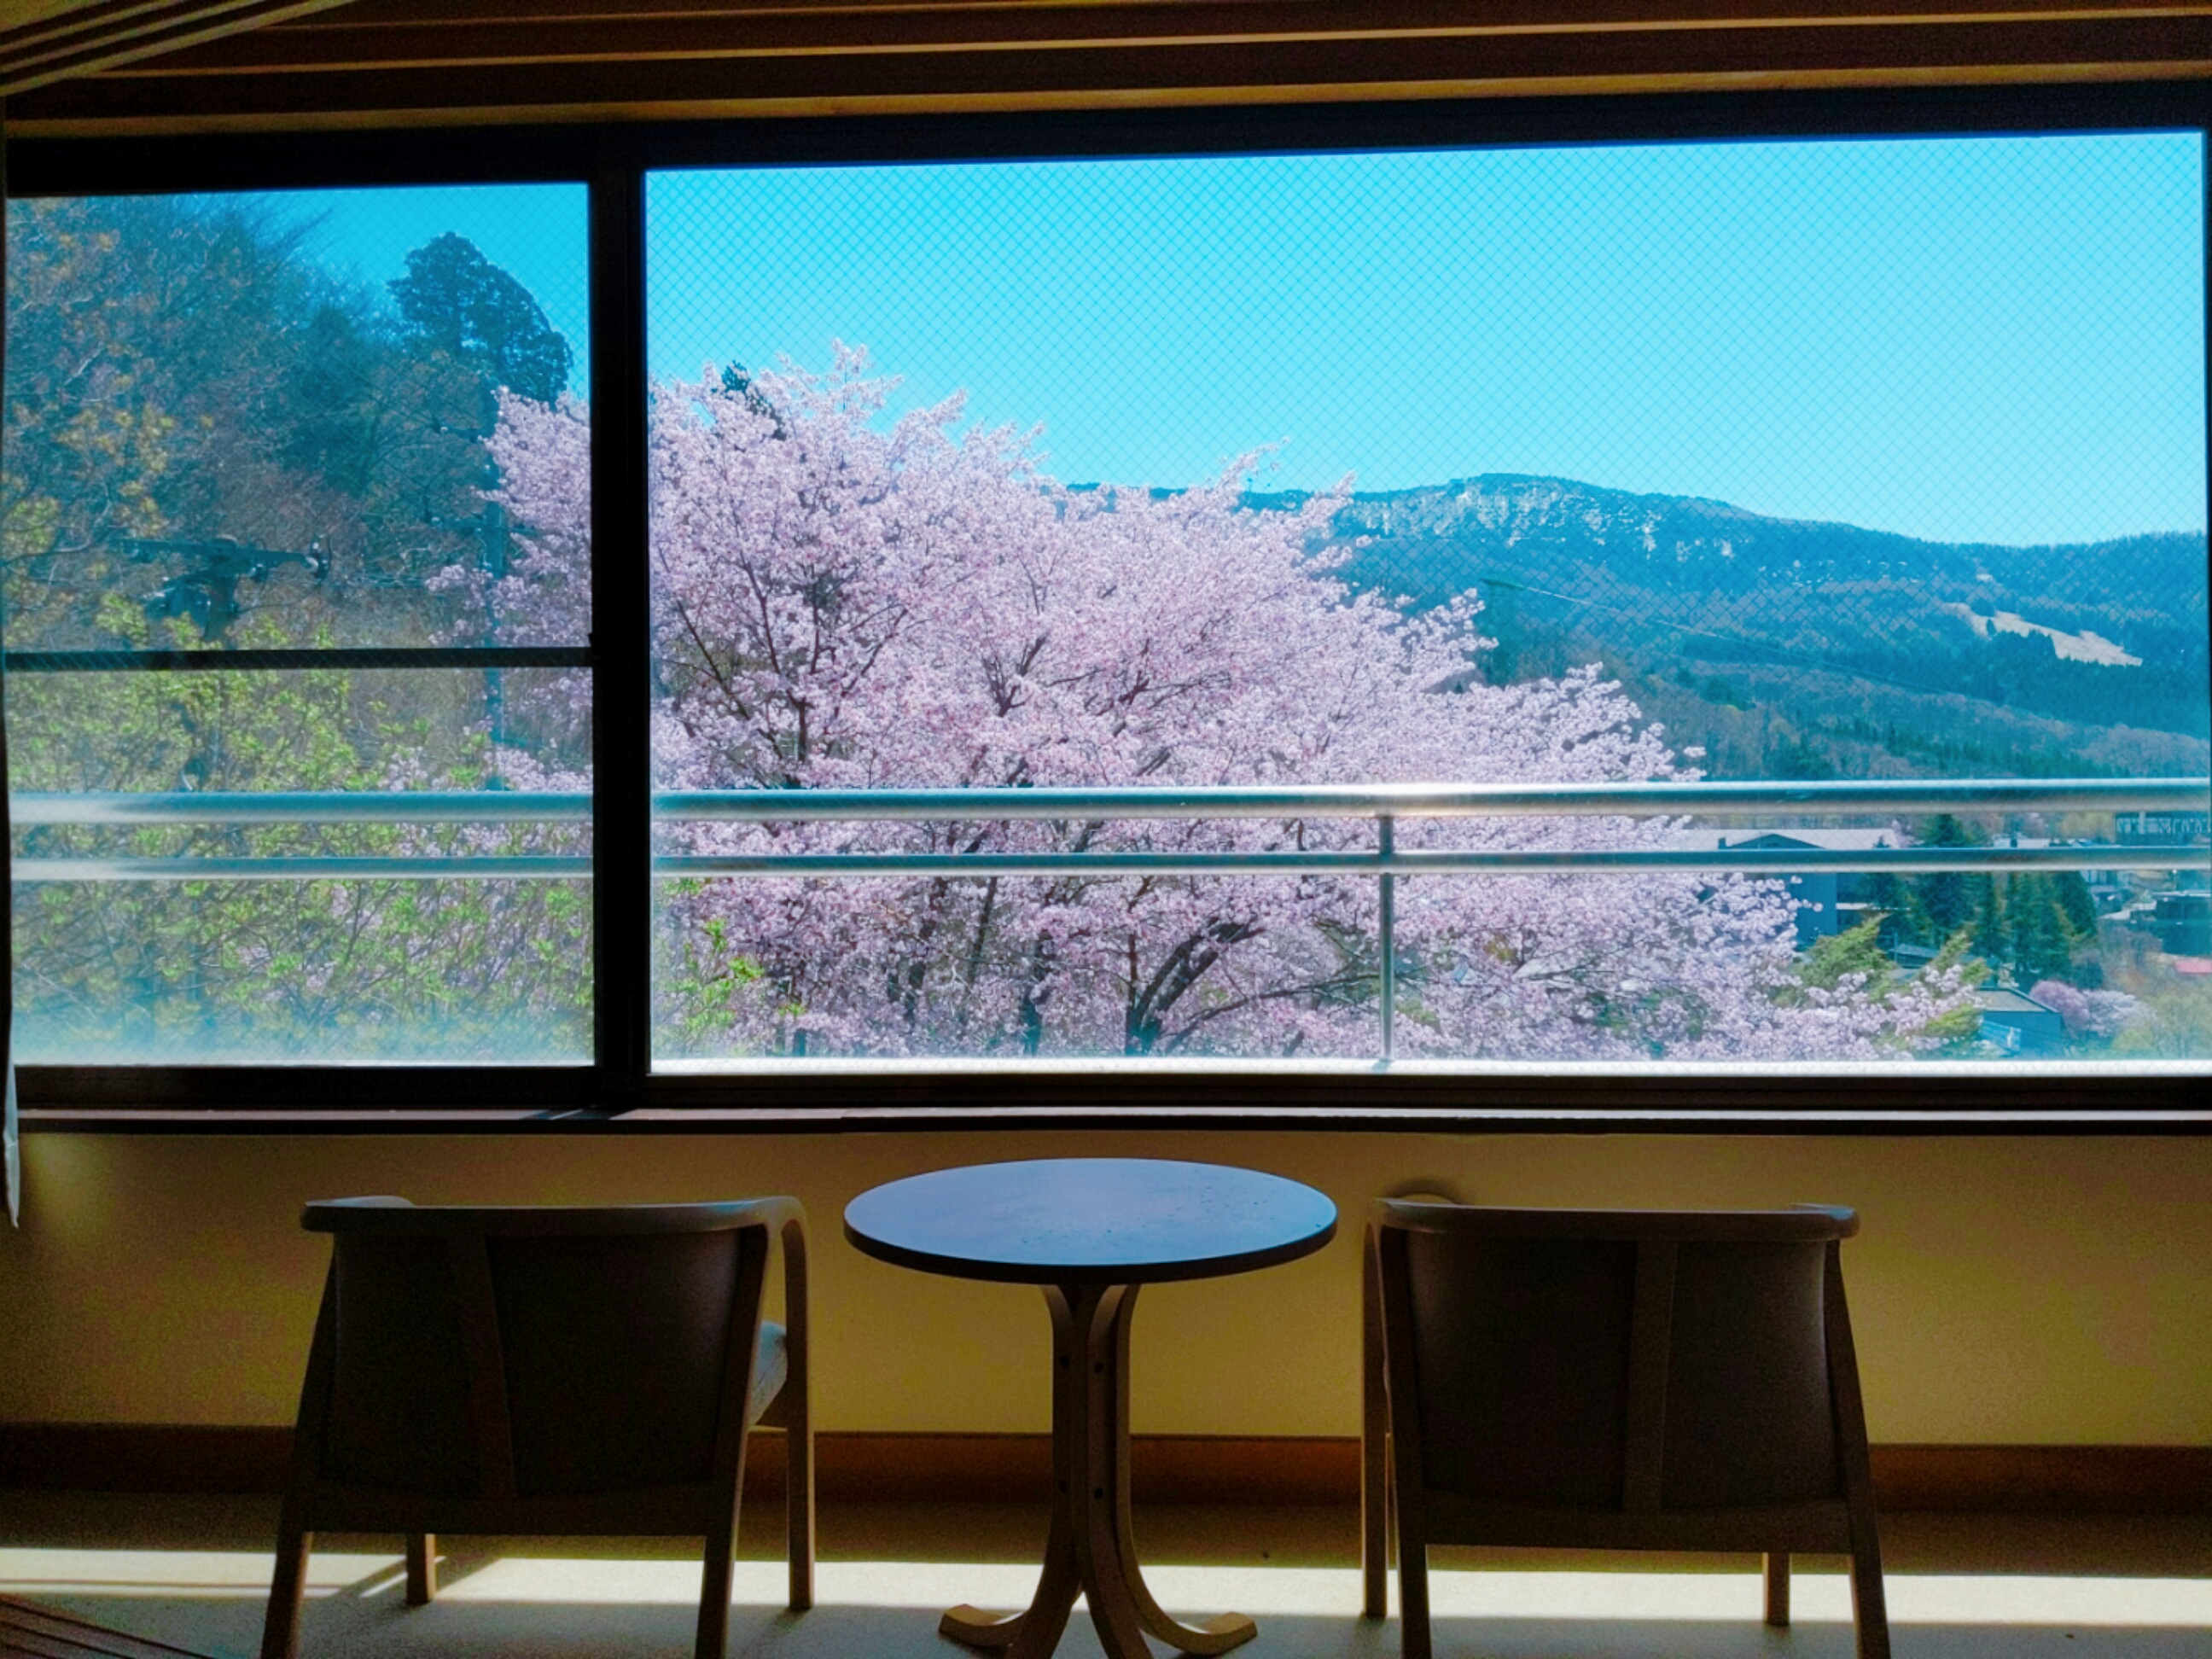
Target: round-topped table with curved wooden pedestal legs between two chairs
1092, 1231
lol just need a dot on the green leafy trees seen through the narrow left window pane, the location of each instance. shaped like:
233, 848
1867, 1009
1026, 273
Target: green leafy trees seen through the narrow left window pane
187, 388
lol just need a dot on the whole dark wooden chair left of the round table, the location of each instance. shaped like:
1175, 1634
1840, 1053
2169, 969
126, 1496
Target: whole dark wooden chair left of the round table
512, 1370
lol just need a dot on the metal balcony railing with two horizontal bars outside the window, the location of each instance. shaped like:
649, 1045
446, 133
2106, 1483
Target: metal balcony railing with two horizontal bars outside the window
1384, 804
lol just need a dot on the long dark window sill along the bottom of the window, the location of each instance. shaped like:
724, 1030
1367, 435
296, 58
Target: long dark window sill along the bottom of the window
828, 1098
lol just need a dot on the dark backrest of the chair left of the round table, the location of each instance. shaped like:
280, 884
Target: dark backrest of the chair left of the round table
536, 1353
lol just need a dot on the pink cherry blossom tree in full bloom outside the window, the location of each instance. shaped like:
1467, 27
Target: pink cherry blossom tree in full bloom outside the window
846, 601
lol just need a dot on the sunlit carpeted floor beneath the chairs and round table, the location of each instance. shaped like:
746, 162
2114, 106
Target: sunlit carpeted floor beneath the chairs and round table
194, 1574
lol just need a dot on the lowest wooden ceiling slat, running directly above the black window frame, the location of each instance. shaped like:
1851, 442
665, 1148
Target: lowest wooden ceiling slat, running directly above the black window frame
1169, 74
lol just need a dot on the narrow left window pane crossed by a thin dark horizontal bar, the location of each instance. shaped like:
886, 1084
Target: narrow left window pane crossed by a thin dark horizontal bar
282, 435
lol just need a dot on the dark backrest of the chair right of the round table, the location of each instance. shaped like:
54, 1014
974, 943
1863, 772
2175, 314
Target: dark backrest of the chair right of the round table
1616, 1359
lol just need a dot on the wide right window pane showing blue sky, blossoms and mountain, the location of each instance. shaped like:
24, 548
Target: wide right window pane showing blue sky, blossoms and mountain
1839, 461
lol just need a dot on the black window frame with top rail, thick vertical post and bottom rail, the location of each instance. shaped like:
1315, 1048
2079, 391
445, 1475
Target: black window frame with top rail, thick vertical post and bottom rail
618, 1089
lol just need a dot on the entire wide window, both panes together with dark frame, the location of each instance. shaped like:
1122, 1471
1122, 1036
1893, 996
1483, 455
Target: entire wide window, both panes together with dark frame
1408, 625
